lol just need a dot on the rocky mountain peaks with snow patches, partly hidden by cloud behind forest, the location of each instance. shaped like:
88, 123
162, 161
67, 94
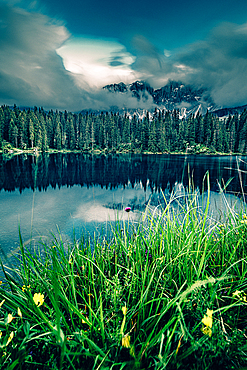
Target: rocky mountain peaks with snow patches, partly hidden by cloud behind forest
175, 95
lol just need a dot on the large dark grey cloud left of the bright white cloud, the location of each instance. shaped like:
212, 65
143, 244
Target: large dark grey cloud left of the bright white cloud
31, 73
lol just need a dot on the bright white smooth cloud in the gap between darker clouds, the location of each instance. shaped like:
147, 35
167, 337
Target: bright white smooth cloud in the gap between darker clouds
97, 62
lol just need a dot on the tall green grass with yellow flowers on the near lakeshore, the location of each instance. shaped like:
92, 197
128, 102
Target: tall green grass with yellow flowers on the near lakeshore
168, 292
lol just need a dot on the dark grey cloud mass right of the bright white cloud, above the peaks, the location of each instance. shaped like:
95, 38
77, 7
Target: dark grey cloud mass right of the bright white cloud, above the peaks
218, 63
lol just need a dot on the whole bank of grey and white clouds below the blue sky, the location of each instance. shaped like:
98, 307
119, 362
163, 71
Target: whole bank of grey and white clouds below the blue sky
43, 64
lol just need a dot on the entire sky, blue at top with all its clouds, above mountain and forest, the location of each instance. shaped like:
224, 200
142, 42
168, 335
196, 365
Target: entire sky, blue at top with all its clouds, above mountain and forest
59, 54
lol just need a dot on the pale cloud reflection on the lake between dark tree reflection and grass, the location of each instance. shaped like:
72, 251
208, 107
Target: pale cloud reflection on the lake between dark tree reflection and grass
73, 210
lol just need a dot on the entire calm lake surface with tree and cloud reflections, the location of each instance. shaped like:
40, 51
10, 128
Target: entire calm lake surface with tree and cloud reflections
82, 193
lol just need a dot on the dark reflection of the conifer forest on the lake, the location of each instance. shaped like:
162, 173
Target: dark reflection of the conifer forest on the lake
151, 171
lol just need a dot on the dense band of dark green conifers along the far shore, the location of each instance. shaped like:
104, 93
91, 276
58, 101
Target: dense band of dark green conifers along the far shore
159, 132
